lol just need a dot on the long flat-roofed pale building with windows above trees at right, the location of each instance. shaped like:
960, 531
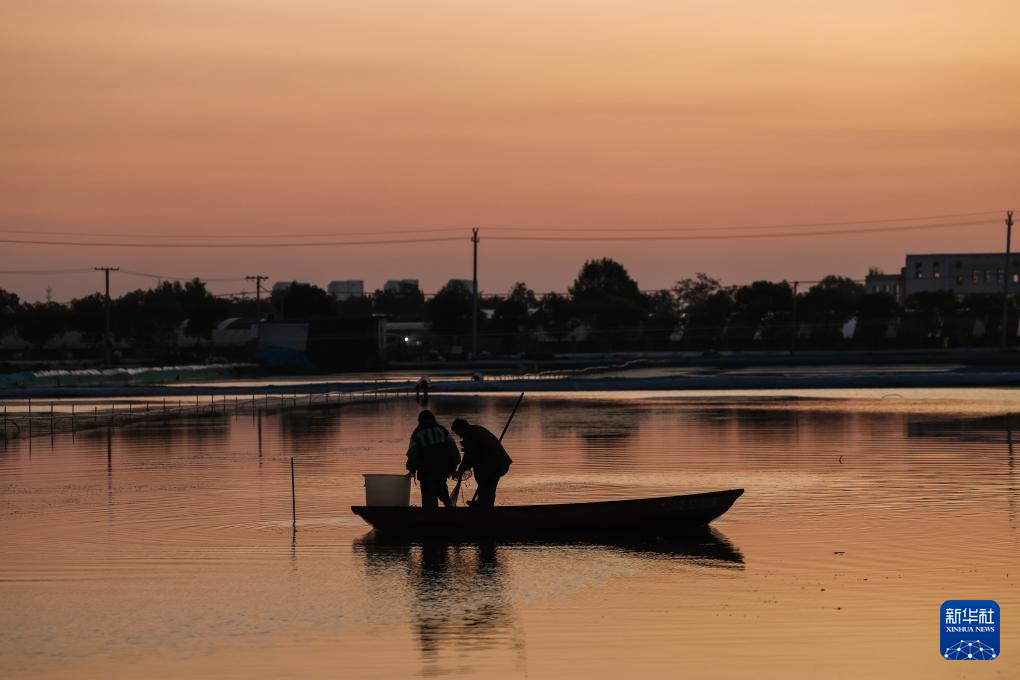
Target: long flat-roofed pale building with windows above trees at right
962, 274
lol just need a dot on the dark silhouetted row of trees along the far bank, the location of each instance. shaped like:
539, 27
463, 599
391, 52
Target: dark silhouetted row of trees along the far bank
603, 310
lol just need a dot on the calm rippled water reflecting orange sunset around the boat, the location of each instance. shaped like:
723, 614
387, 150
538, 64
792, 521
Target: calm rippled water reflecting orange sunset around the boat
167, 551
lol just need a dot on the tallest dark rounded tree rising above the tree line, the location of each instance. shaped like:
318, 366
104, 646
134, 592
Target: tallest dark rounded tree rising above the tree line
607, 298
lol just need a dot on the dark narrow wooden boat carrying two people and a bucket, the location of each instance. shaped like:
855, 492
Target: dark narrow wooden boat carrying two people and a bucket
661, 516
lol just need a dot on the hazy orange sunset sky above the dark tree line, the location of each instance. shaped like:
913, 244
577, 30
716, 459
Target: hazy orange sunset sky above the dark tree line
261, 119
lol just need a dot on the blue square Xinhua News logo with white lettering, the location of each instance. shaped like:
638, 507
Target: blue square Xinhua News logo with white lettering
970, 630
